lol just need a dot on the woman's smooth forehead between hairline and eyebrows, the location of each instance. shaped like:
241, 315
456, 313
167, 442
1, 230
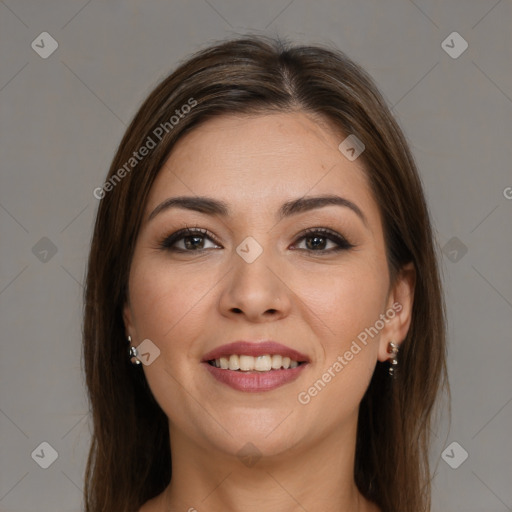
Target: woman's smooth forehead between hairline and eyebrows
261, 161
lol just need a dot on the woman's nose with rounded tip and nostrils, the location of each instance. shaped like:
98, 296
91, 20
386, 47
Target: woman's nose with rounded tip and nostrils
255, 290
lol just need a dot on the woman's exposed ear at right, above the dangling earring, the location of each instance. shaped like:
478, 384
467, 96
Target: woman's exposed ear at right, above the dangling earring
398, 312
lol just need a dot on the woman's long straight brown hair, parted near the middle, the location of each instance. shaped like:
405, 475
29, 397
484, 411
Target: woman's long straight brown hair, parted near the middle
129, 460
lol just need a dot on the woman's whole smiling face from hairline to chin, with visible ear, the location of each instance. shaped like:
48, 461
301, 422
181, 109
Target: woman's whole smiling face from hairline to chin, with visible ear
262, 263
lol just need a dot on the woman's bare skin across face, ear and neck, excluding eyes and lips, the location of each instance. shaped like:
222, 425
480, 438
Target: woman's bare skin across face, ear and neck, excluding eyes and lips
188, 303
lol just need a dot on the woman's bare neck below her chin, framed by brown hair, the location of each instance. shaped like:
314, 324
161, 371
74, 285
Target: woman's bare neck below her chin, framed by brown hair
319, 477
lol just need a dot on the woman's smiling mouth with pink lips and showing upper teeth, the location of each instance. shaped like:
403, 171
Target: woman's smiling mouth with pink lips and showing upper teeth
255, 367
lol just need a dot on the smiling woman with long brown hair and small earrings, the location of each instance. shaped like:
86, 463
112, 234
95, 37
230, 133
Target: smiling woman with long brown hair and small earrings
263, 248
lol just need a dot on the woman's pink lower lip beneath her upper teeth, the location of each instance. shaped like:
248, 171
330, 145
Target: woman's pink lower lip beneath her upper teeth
255, 381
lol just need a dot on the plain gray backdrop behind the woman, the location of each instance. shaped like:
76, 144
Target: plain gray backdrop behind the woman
63, 116
